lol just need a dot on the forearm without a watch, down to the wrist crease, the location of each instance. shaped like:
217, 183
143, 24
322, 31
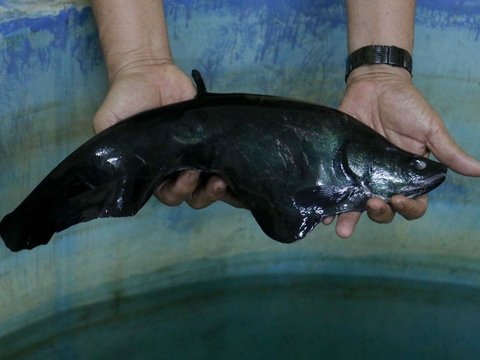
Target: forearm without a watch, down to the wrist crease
132, 33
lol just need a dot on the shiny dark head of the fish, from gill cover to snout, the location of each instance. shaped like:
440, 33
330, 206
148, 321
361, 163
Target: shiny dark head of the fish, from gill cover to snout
384, 170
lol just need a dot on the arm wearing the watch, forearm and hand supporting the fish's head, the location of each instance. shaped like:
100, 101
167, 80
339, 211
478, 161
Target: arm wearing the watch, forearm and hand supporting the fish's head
384, 97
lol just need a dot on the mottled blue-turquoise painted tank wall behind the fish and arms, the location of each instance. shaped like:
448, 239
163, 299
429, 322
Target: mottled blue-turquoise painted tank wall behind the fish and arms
53, 80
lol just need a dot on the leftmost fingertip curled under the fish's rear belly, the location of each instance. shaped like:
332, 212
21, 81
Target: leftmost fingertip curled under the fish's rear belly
174, 192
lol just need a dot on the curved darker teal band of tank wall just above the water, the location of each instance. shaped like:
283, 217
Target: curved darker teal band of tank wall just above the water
419, 269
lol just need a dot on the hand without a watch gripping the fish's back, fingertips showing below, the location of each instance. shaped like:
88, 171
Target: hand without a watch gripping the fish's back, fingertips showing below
141, 87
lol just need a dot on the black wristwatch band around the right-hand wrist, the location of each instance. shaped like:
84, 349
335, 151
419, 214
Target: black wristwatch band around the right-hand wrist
379, 54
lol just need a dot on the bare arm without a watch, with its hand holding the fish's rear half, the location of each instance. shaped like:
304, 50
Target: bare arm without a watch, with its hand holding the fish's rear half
142, 75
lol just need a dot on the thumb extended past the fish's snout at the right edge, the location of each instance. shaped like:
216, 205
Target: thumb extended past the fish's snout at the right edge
450, 154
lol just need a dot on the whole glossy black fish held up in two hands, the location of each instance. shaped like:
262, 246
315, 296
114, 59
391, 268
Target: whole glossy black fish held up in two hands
291, 163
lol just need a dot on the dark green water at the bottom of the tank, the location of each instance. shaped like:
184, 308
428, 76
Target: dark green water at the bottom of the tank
273, 317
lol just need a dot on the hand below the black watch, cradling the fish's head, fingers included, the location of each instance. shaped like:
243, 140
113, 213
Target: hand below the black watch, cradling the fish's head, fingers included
384, 98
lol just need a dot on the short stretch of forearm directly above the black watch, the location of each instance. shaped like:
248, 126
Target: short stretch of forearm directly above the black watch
380, 22
